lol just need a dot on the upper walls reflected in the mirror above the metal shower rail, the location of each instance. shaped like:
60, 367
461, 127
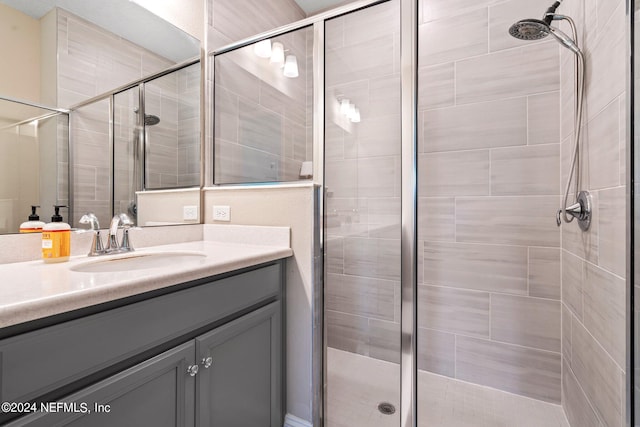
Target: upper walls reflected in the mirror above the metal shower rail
79, 49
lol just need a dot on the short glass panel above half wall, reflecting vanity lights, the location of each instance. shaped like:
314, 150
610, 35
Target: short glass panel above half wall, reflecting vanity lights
263, 110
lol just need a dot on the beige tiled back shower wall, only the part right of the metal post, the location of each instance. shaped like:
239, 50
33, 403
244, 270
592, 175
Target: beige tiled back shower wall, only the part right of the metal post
489, 185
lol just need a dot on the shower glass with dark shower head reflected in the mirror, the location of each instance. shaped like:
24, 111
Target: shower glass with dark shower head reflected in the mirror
161, 150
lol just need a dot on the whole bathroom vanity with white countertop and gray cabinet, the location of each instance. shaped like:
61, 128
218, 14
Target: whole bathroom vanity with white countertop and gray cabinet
198, 342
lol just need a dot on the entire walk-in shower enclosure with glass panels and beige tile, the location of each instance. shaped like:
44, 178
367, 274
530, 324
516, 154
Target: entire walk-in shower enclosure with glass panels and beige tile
443, 145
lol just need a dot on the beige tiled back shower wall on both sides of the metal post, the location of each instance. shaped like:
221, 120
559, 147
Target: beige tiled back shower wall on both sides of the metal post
488, 186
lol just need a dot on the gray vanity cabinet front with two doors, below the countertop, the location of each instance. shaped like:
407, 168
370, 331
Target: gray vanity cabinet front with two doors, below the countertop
220, 364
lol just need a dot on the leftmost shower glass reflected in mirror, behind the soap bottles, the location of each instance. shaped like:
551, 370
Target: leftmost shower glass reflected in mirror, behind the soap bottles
33, 162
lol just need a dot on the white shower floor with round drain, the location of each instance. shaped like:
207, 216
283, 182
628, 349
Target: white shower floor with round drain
357, 384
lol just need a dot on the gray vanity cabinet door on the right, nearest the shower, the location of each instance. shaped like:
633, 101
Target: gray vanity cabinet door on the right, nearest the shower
243, 385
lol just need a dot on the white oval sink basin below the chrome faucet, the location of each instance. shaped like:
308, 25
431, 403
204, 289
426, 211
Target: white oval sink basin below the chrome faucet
139, 261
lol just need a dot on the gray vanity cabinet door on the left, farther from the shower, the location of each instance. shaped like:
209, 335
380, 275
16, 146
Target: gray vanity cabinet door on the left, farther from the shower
158, 392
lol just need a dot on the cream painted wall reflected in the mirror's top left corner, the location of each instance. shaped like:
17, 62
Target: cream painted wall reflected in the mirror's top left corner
20, 53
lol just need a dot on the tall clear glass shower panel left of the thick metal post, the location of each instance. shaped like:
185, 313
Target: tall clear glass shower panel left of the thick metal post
362, 217
